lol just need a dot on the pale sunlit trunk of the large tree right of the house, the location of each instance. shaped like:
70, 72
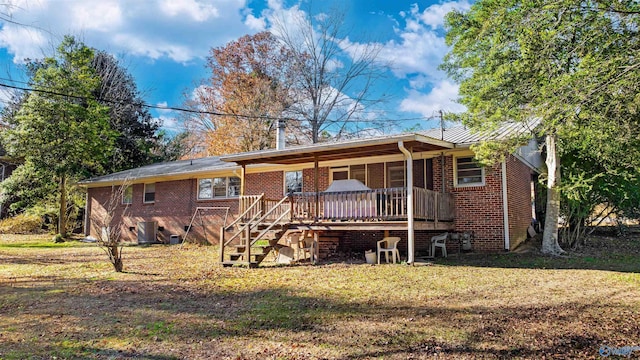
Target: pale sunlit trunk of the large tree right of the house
550, 236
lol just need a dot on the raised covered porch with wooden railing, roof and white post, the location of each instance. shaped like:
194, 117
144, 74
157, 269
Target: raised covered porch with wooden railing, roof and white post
408, 208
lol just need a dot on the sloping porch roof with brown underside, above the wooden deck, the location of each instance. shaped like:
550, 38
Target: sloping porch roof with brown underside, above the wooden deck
384, 145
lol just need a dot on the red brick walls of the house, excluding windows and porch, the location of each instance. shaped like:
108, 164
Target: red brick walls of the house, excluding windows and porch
478, 209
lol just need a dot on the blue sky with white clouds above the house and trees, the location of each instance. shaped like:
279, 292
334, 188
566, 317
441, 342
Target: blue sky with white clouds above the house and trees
164, 43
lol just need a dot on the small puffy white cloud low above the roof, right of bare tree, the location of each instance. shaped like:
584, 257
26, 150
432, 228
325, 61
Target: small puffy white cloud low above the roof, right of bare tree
443, 97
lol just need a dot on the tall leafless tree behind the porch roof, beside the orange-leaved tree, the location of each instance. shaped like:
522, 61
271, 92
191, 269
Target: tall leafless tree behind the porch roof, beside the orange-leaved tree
336, 85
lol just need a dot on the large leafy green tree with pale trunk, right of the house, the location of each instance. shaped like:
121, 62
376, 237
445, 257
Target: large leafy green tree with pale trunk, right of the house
570, 65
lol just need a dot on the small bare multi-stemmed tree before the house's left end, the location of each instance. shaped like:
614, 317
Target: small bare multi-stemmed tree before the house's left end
109, 226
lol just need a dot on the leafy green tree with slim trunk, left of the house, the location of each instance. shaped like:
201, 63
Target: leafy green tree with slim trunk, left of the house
60, 126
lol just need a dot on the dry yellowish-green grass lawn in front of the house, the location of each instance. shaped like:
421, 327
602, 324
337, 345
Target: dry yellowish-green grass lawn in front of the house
64, 301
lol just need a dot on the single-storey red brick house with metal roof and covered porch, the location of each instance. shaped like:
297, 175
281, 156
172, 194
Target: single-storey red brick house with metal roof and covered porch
415, 186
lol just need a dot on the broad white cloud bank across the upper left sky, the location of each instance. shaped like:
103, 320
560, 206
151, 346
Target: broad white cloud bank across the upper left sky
180, 30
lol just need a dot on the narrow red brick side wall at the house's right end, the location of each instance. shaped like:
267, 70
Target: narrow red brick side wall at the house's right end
519, 200
